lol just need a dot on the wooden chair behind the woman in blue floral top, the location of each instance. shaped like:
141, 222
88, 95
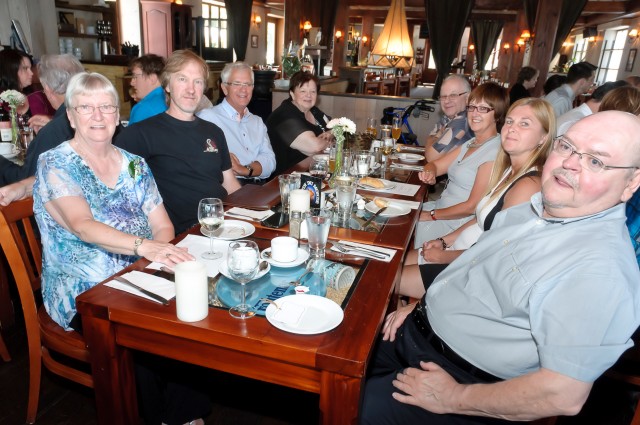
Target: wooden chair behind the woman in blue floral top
23, 253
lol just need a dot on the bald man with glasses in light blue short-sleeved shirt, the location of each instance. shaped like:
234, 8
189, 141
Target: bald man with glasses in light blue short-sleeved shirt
516, 329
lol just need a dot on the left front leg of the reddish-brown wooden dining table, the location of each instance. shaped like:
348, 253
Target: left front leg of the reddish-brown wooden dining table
113, 373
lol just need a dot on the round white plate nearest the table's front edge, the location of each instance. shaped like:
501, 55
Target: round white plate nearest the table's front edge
318, 314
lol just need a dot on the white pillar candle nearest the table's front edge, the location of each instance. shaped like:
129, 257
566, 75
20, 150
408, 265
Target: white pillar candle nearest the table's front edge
192, 294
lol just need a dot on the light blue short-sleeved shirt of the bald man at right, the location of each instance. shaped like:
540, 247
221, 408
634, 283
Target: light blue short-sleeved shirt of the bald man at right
535, 292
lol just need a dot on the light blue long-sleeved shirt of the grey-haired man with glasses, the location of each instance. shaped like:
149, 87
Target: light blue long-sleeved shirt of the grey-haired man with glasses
246, 137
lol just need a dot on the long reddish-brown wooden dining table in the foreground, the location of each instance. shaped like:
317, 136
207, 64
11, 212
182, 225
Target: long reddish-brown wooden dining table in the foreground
331, 364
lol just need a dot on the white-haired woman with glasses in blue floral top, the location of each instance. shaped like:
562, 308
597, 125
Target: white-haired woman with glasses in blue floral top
97, 206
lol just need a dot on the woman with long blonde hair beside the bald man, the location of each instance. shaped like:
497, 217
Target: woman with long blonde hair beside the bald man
526, 139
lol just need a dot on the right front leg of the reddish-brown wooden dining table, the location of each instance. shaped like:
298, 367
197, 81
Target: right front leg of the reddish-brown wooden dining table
339, 399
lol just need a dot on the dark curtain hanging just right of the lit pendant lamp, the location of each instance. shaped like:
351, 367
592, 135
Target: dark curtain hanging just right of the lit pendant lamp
446, 20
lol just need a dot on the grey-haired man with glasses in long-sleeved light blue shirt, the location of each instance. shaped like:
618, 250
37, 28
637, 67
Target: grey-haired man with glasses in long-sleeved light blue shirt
252, 158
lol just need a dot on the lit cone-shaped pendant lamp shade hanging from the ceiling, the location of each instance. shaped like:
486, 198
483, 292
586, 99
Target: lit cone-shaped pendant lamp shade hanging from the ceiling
393, 47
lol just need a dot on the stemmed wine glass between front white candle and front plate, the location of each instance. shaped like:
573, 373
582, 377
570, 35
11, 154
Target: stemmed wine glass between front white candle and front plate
242, 263
